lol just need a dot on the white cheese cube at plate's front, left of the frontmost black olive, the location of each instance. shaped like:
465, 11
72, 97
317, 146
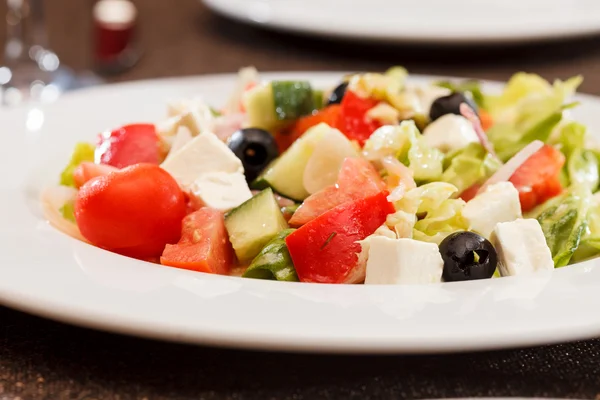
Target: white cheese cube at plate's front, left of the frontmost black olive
403, 261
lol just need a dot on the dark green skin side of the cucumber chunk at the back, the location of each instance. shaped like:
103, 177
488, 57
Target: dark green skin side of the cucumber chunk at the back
292, 99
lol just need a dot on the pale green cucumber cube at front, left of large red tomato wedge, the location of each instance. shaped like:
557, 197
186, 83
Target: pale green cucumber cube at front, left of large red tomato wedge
253, 224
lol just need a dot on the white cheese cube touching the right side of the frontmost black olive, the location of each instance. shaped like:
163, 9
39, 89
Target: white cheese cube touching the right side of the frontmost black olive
521, 247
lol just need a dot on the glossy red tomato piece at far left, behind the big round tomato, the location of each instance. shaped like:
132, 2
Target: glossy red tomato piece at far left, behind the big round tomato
129, 145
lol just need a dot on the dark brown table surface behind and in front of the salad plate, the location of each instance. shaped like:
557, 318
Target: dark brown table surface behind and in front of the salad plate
40, 359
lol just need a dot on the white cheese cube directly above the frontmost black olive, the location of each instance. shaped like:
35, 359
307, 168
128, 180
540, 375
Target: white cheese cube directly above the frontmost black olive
498, 203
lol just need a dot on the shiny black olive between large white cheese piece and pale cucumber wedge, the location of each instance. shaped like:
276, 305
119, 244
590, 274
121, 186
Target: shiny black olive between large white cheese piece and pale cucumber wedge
255, 147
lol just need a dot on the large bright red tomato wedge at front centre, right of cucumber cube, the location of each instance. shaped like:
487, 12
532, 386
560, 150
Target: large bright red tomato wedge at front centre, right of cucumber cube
326, 250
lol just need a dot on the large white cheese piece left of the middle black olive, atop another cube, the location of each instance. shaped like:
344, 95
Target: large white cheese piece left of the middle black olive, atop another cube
205, 153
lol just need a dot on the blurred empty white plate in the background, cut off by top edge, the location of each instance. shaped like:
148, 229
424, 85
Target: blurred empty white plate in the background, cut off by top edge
433, 21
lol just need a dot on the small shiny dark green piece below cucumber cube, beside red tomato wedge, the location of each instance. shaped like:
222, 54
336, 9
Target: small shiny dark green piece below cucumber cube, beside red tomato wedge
273, 261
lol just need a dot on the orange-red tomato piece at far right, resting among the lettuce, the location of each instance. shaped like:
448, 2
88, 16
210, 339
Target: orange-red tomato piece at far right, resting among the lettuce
538, 178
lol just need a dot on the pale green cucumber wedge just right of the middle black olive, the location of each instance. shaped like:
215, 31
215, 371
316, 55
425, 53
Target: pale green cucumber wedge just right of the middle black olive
286, 174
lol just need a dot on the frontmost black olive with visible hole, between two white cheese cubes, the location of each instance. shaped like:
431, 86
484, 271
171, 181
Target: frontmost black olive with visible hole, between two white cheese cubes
467, 256
